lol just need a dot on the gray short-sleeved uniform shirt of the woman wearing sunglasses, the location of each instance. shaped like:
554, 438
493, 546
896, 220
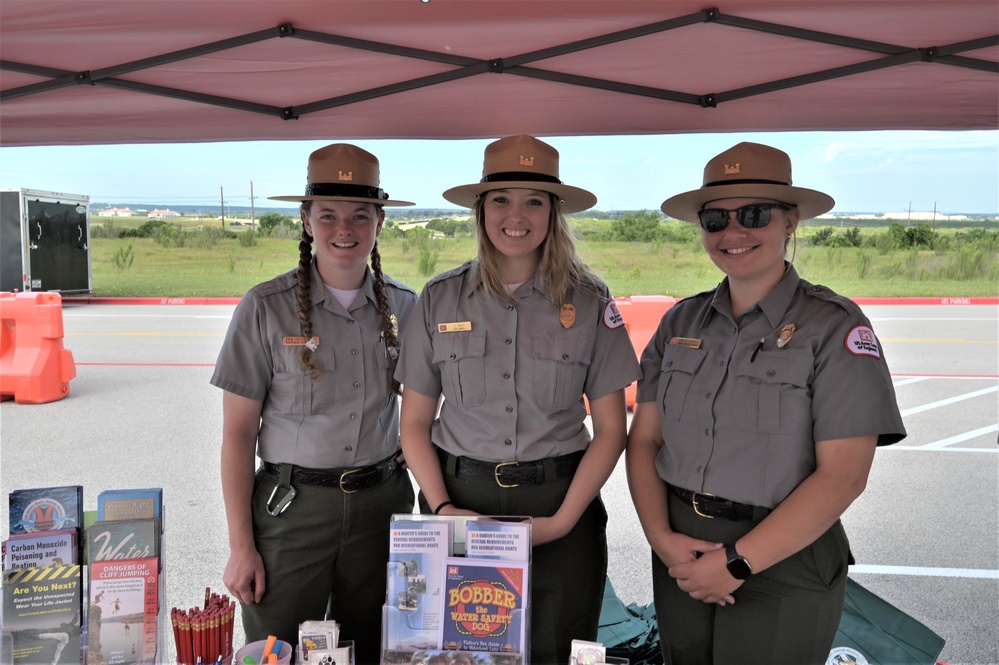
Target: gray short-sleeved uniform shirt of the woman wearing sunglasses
744, 427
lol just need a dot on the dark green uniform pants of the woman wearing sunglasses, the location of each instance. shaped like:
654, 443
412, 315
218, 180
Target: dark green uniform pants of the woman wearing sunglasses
787, 614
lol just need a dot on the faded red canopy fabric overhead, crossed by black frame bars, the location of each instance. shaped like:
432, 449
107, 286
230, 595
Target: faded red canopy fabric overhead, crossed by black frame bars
128, 71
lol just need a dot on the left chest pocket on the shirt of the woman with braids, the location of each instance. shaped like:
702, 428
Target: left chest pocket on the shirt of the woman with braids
293, 390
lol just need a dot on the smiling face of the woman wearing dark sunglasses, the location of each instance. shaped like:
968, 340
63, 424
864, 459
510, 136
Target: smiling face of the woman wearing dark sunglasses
750, 255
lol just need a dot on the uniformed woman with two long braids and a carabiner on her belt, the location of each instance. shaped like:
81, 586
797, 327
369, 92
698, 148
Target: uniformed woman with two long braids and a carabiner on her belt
306, 369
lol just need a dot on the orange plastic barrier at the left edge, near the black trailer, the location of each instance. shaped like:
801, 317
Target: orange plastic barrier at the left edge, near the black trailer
34, 366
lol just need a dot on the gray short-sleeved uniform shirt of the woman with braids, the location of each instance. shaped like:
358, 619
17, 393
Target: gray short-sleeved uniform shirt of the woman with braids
348, 416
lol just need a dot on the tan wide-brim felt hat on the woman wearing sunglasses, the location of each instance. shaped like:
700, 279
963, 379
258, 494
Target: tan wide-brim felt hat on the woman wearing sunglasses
748, 170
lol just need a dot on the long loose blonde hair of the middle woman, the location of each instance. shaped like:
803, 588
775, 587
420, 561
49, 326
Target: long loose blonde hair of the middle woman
560, 268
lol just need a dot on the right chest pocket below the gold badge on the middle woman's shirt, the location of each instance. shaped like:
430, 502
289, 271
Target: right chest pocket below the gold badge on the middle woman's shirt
561, 362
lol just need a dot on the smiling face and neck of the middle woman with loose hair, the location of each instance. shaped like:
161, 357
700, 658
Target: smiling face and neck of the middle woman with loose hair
516, 223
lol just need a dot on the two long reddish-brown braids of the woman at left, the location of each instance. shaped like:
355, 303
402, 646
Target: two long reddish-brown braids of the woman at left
388, 332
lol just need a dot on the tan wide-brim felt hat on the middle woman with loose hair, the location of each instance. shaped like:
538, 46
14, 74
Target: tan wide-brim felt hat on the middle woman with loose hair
522, 162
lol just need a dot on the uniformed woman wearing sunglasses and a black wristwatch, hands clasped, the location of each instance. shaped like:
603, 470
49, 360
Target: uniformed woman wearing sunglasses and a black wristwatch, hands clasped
760, 408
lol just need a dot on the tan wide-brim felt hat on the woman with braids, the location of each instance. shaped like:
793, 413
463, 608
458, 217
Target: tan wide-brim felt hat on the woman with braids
343, 172
